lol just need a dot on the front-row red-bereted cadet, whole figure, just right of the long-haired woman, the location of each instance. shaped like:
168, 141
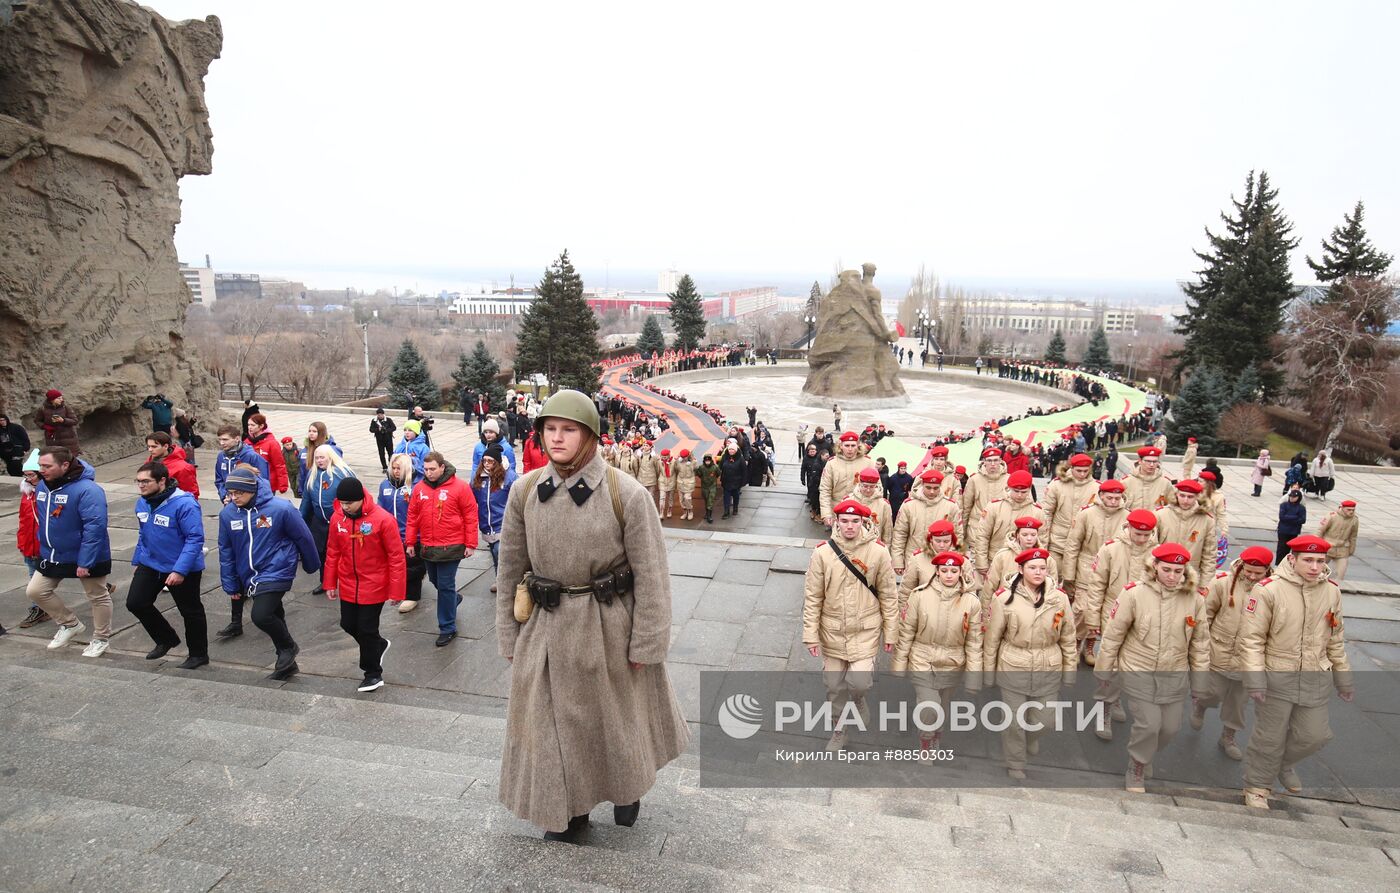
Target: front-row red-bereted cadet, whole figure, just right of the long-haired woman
1157, 649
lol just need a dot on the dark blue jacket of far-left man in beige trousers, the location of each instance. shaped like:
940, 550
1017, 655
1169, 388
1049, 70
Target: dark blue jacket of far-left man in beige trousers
73, 526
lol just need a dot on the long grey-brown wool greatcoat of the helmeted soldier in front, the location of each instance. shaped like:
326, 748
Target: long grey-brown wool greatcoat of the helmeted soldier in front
583, 727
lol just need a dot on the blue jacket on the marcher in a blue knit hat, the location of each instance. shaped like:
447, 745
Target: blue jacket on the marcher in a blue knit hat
261, 545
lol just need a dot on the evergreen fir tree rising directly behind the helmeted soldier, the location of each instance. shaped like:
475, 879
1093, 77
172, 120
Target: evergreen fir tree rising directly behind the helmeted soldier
559, 332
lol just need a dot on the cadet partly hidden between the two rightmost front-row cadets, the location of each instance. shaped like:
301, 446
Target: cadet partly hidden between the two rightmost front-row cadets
1226, 601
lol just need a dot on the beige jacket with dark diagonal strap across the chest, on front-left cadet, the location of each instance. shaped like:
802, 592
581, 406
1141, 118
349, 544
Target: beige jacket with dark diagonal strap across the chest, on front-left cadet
839, 614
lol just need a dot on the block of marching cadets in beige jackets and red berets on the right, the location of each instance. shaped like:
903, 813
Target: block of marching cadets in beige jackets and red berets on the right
1122, 573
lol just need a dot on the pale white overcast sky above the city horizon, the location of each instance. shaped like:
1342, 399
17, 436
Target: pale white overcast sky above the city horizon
1017, 141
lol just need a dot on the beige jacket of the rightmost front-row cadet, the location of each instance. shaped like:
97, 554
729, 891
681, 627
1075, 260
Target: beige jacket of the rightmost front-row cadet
1293, 643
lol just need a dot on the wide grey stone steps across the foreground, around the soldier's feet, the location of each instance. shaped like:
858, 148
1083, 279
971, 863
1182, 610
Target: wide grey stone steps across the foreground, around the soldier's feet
118, 778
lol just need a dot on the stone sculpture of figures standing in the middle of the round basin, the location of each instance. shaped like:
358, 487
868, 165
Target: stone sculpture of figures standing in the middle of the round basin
849, 360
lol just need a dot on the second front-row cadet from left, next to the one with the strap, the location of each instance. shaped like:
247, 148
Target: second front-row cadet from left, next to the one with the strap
940, 639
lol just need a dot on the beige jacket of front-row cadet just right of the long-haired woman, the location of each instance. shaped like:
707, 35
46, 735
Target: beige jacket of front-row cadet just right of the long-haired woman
1154, 638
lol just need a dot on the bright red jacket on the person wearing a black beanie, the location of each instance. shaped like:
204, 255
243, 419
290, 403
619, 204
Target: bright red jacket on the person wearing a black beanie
365, 556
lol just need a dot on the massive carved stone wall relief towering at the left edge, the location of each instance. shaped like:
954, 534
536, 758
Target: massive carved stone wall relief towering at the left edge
101, 113
